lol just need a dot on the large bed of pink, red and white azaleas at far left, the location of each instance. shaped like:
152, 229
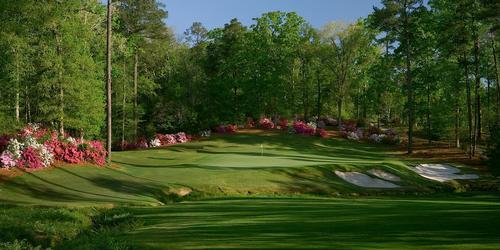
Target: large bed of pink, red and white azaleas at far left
36, 148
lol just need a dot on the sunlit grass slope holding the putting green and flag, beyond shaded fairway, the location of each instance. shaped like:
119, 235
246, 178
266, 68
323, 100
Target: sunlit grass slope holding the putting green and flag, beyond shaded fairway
233, 165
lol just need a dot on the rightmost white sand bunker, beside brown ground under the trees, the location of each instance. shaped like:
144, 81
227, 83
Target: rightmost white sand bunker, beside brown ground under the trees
442, 172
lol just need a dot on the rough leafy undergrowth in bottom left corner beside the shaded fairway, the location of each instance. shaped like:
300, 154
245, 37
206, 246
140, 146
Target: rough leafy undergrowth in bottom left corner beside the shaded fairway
27, 228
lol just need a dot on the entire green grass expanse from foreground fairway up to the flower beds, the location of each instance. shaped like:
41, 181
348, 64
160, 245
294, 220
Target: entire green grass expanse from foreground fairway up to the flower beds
274, 191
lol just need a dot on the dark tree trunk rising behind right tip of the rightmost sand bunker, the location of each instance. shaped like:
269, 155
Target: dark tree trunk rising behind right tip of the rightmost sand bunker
477, 116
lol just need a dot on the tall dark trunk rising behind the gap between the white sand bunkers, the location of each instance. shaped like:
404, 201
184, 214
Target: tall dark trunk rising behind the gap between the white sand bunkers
408, 79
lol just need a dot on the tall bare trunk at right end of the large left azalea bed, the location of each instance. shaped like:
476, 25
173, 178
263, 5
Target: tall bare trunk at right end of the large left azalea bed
109, 80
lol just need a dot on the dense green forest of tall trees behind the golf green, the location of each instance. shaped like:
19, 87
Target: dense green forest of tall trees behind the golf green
428, 67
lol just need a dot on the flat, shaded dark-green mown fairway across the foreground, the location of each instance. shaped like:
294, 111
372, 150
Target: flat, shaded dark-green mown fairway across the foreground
322, 224
